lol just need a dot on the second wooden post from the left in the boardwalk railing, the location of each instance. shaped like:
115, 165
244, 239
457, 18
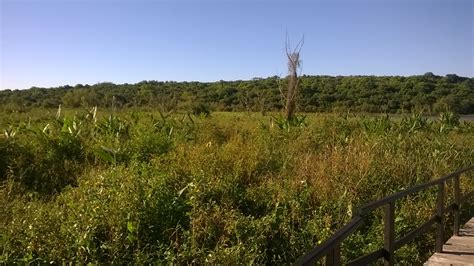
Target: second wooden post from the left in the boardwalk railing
389, 233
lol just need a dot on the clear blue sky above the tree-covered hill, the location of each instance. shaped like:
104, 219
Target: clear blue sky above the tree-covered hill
52, 43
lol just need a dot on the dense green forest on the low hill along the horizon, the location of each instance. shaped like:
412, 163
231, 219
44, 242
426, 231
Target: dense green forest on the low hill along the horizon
385, 94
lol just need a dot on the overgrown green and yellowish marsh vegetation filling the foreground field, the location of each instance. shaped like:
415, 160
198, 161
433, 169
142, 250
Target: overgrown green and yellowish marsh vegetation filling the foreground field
140, 187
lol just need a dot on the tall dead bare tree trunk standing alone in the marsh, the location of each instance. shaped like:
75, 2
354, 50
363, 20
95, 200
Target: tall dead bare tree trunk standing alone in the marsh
294, 64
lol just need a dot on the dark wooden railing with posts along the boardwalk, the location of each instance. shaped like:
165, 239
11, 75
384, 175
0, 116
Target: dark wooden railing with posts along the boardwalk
331, 248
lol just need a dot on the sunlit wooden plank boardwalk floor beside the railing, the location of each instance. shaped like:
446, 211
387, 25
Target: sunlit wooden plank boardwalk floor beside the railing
458, 250
